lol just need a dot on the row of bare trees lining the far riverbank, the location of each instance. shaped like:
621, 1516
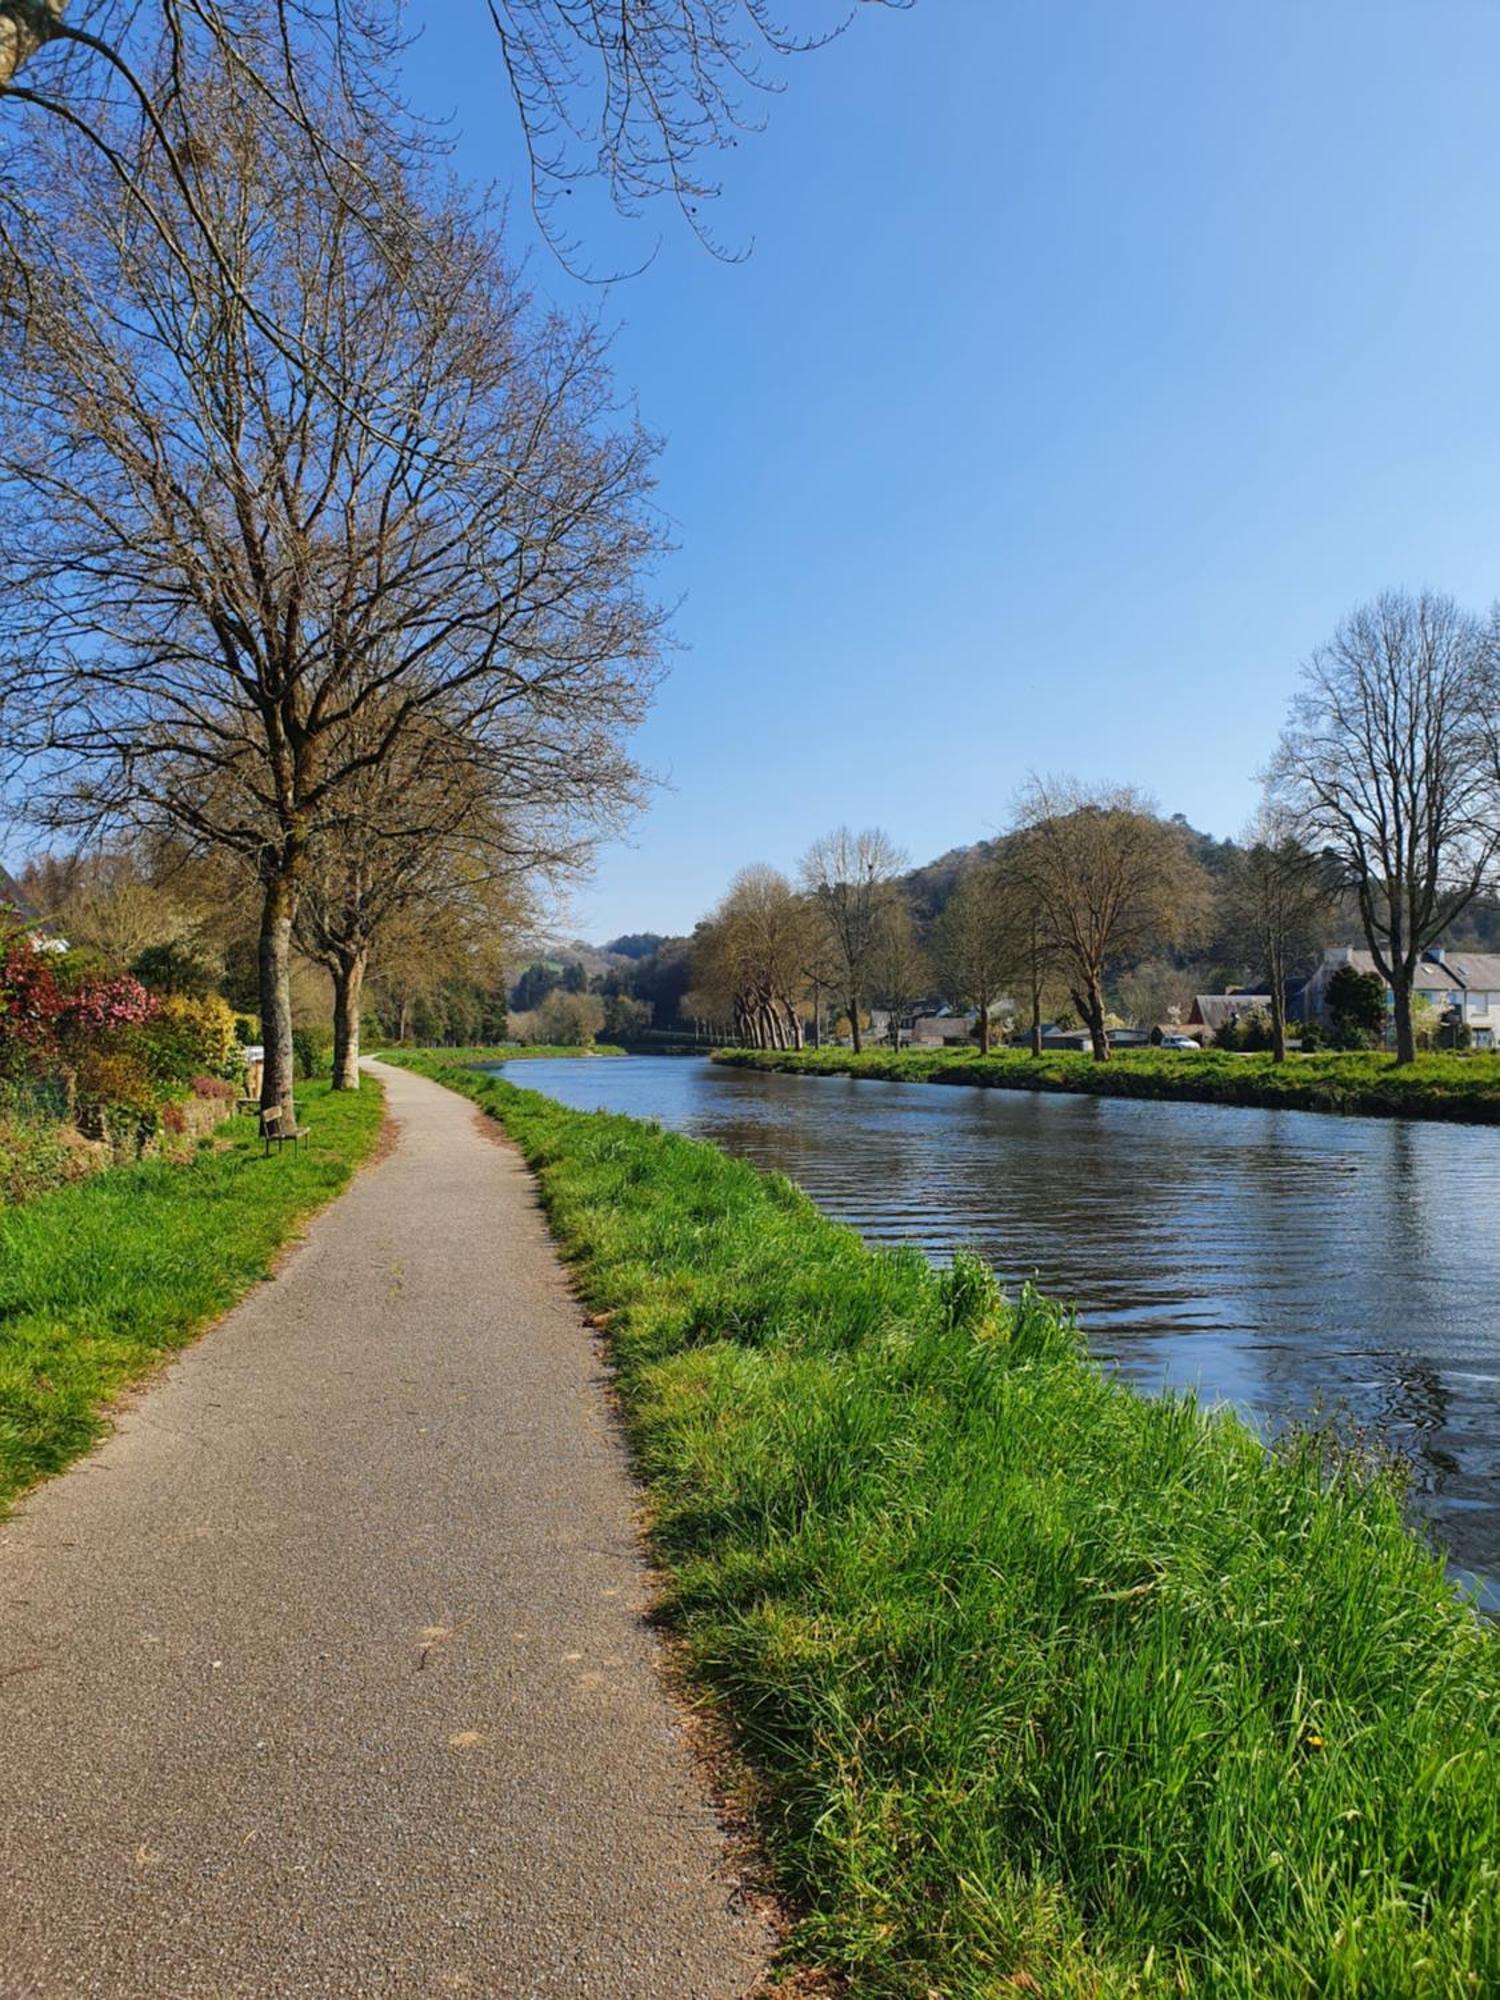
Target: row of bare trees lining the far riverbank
1385, 797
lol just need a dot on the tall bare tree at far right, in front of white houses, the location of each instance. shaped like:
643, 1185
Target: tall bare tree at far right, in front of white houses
1387, 763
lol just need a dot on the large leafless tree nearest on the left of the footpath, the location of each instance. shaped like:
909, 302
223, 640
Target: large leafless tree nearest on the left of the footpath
217, 573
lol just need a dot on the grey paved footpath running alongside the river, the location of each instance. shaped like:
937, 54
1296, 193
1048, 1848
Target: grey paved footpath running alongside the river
327, 1673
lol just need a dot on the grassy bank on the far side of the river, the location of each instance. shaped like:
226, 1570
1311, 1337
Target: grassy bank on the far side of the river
1461, 1089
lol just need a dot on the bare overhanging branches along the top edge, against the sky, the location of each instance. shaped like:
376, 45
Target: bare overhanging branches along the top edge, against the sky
639, 95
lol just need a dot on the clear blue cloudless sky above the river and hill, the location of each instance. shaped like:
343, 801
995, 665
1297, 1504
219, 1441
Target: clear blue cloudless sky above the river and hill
1093, 359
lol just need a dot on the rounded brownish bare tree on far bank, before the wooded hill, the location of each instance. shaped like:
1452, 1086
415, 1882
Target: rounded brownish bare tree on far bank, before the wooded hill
1107, 881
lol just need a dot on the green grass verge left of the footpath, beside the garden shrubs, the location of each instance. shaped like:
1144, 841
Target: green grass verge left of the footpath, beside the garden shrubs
103, 1279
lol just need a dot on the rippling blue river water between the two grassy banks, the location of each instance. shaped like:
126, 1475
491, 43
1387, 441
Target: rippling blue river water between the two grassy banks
1281, 1261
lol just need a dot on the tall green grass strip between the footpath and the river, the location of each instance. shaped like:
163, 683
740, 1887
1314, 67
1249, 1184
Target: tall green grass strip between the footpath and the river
1039, 1685
